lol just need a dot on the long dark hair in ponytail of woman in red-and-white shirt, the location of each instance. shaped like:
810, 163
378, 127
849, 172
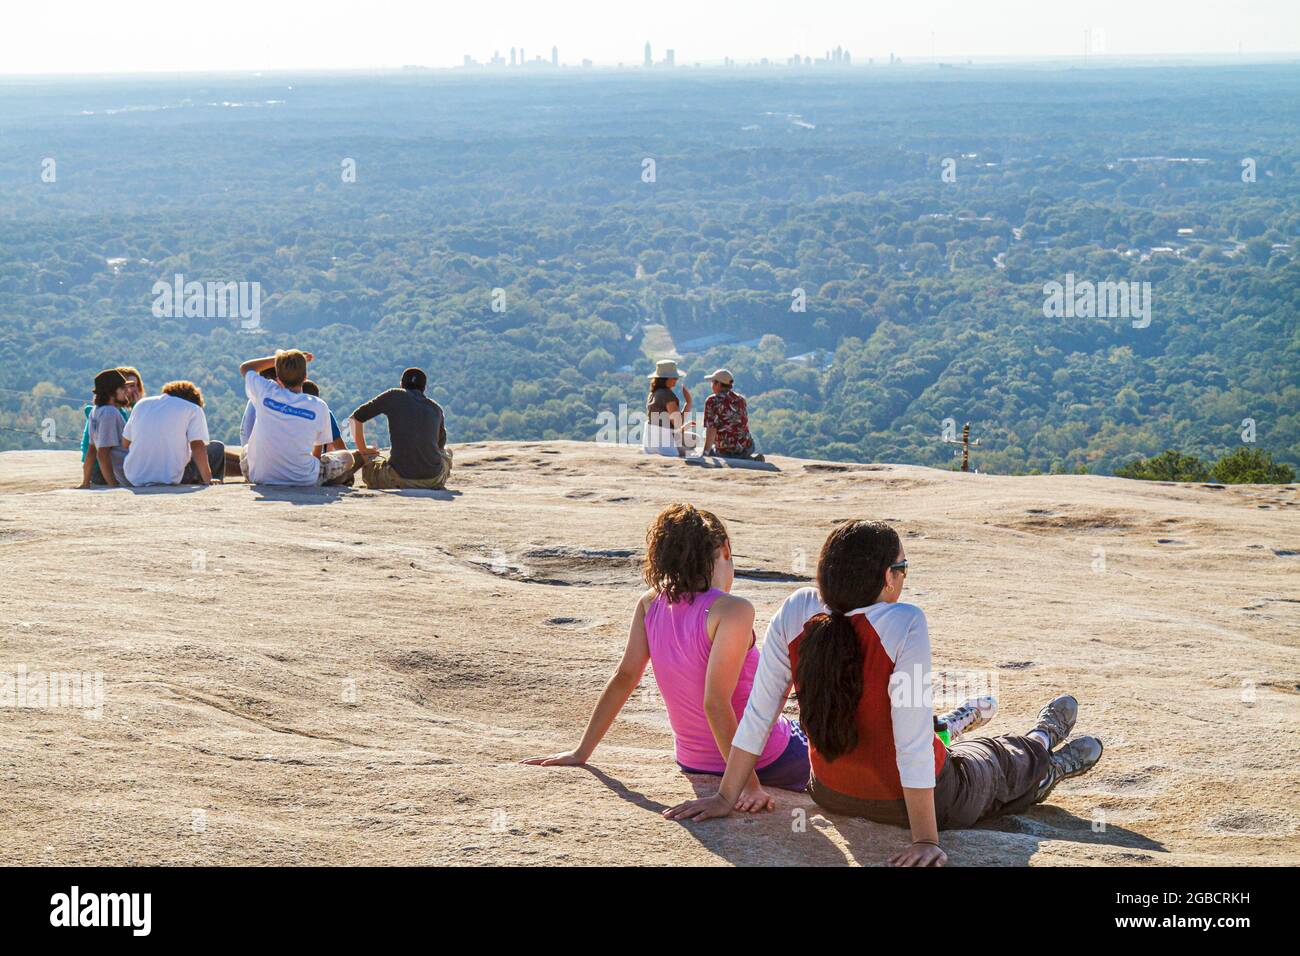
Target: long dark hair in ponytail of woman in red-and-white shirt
851, 573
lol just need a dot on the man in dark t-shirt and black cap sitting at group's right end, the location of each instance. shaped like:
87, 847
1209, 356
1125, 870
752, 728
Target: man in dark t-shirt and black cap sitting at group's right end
419, 457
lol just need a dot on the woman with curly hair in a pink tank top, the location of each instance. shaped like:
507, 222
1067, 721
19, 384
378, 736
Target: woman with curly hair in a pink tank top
701, 642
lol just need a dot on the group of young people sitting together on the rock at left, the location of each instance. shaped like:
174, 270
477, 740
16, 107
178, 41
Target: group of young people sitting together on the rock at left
289, 436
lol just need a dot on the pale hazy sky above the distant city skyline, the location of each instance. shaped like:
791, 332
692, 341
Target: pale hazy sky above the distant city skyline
140, 36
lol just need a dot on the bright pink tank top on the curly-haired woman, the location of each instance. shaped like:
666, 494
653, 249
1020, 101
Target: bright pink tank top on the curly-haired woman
679, 652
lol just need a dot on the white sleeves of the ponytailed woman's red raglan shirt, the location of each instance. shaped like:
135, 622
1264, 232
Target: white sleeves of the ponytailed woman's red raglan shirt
905, 638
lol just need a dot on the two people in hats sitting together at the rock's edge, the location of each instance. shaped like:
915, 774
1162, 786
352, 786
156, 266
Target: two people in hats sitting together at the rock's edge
669, 431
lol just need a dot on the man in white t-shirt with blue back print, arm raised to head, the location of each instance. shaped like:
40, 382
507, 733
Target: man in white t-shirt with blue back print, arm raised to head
292, 430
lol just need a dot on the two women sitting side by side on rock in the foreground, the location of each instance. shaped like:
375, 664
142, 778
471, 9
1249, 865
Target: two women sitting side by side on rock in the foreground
866, 742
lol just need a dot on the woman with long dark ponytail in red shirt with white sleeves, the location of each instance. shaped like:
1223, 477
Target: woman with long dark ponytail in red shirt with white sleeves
860, 661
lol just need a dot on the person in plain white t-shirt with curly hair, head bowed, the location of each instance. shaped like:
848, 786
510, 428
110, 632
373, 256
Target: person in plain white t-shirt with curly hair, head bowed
167, 440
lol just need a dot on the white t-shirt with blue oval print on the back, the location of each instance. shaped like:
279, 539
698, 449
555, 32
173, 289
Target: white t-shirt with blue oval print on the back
288, 427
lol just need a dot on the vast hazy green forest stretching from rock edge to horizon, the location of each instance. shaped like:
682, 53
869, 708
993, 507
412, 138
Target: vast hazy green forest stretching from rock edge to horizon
508, 235
